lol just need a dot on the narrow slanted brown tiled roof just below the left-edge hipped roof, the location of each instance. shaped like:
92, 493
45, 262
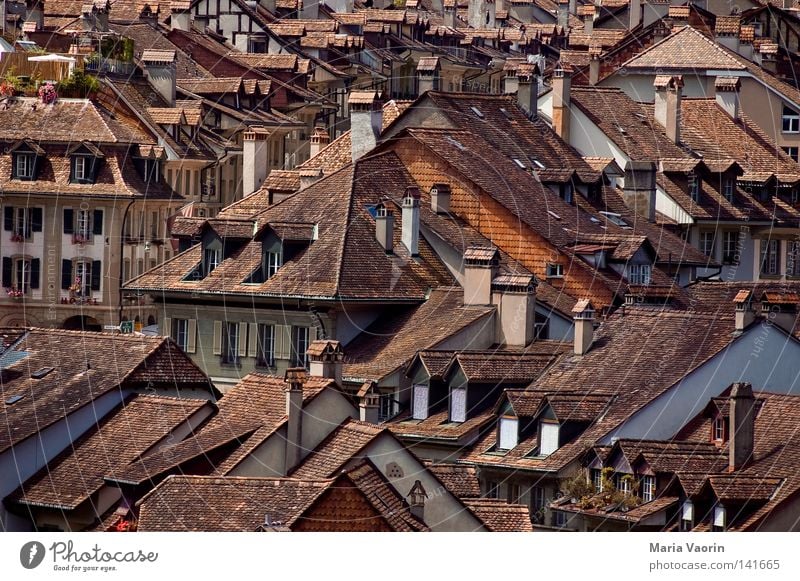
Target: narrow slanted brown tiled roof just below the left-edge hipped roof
76, 474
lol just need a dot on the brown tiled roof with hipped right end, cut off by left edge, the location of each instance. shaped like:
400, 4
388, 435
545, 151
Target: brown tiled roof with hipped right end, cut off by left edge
114, 360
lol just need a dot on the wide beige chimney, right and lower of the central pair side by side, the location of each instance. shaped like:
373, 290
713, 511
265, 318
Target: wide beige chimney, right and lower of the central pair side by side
515, 297
